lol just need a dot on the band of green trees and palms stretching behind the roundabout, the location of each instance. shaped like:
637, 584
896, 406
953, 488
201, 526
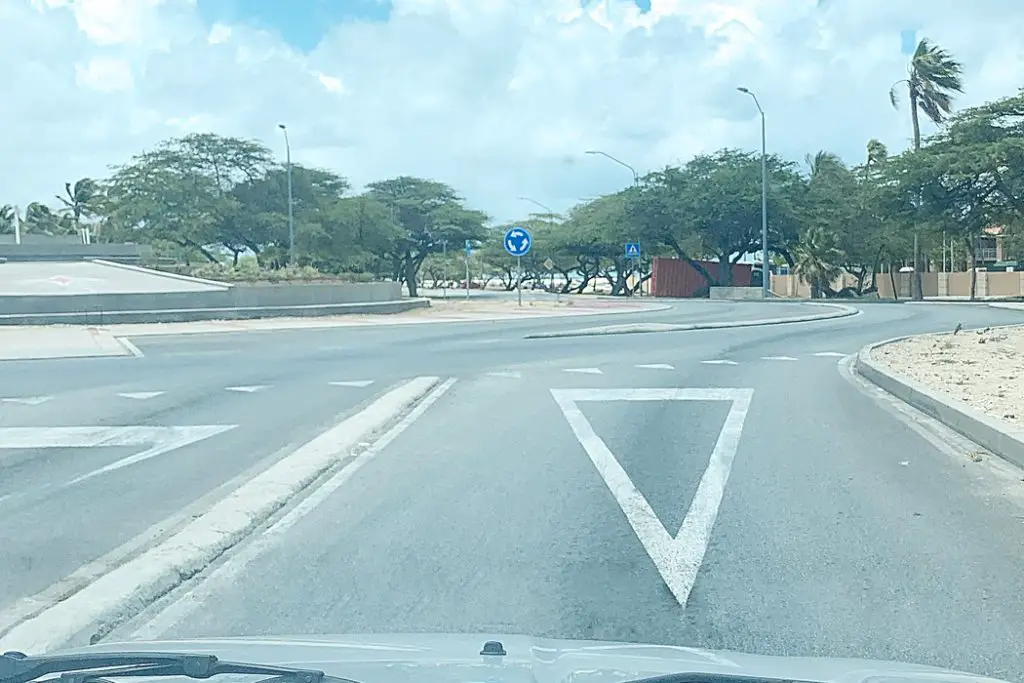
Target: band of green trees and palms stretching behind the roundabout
218, 207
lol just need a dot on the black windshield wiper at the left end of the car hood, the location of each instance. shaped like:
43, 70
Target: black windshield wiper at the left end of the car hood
102, 667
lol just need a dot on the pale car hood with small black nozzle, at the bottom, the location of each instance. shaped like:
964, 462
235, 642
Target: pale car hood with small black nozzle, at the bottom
458, 659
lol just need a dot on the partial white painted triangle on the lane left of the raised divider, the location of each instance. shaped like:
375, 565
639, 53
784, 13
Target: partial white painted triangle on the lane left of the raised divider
160, 441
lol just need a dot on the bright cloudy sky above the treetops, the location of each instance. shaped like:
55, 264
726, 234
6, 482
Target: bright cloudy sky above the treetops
499, 99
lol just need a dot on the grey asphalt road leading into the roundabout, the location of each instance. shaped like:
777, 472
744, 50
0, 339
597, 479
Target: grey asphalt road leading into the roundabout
841, 532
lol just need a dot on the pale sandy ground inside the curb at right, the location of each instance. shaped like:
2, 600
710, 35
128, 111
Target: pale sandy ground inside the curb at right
984, 369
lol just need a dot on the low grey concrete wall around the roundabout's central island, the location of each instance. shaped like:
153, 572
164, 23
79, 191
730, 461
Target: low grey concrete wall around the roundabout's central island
241, 302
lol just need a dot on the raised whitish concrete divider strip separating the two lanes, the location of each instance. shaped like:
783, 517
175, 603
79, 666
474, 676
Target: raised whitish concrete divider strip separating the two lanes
131, 587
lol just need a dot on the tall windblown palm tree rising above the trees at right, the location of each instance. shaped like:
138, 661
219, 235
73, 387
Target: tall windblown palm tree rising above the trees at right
933, 78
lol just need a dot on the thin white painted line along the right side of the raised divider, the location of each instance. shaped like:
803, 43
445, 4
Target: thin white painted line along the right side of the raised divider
206, 589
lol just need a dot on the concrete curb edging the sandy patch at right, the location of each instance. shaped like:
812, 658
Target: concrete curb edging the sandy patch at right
1000, 438
